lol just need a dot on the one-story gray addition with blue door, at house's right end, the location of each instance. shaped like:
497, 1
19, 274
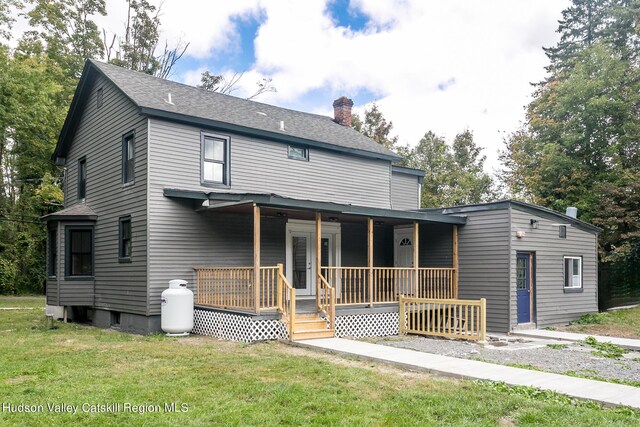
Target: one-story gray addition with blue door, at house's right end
535, 266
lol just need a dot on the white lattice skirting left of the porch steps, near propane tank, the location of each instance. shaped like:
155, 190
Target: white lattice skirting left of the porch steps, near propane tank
236, 327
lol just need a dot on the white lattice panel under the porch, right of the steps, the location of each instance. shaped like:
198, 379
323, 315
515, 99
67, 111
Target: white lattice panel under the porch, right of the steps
368, 325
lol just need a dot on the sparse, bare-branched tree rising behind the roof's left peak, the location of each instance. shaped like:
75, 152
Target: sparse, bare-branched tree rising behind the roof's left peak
137, 49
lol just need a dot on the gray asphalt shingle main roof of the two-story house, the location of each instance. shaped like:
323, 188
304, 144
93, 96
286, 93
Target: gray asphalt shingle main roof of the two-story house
150, 92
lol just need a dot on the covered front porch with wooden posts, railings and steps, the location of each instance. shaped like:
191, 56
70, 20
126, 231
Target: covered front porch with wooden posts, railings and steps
319, 259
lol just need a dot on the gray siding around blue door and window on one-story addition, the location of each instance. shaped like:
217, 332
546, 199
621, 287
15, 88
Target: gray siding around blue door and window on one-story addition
552, 304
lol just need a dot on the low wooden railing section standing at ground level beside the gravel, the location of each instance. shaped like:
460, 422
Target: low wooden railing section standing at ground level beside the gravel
452, 318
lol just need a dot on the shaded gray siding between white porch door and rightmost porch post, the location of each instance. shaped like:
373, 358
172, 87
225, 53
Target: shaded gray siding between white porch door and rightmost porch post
436, 245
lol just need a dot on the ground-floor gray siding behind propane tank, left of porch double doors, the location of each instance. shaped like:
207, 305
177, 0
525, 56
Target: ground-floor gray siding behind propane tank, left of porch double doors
182, 239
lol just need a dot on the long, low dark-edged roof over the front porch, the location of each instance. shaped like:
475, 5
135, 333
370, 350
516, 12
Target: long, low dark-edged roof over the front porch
275, 201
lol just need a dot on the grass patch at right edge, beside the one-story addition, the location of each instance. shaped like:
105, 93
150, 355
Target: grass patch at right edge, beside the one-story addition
618, 323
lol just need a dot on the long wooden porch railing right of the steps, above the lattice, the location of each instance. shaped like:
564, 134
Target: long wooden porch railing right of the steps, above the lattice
352, 283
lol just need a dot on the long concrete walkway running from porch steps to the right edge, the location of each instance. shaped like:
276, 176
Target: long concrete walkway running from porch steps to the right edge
606, 393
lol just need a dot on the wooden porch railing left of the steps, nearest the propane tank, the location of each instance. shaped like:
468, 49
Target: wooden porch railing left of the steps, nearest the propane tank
233, 287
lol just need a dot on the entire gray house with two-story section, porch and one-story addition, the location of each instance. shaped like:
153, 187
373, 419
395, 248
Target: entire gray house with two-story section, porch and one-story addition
285, 224
